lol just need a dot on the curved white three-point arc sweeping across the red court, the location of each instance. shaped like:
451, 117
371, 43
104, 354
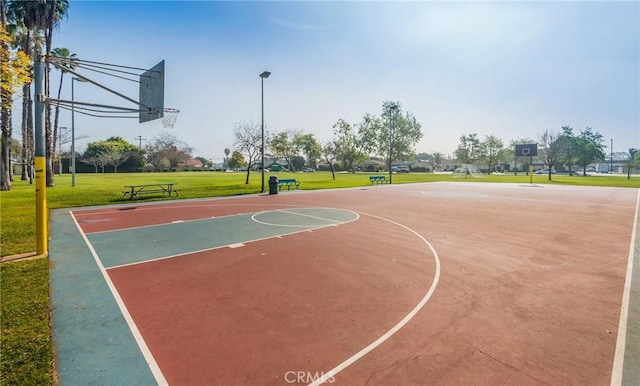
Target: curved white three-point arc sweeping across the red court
328, 376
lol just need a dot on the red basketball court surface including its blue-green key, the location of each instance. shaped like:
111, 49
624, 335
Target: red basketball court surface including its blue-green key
425, 284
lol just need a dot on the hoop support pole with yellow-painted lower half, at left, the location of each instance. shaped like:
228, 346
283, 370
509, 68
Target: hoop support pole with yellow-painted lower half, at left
40, 156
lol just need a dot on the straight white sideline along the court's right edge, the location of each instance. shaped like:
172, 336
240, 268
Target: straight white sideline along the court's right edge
618, 361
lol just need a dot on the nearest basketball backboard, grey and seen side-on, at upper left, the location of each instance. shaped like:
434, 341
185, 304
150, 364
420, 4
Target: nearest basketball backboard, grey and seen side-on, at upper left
152, 93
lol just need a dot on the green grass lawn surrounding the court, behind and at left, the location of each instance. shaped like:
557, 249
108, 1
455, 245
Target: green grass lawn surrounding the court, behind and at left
26, 345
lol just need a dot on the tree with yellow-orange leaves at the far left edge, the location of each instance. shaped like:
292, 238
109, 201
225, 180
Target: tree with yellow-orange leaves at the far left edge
14, 72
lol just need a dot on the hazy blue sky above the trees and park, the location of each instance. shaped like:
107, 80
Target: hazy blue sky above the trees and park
510, 69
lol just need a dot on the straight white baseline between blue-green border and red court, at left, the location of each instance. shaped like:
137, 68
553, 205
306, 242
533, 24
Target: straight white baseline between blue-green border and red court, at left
153, 366
